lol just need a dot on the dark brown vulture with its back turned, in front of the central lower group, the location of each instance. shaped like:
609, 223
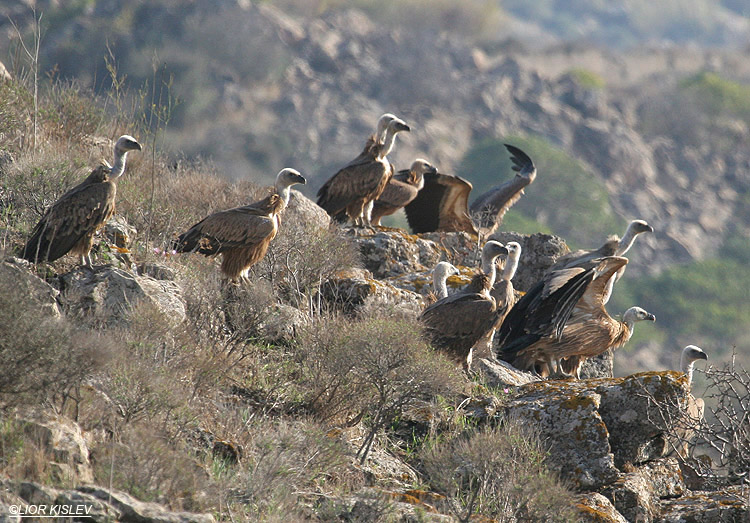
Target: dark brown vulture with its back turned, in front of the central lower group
457, 322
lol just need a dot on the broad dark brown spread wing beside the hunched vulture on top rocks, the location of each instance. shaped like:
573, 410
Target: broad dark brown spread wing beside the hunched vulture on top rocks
441, 205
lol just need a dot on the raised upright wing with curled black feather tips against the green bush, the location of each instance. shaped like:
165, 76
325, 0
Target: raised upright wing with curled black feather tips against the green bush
490, 207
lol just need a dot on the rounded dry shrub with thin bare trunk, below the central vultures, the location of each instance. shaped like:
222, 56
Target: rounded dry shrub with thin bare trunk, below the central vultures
373, 368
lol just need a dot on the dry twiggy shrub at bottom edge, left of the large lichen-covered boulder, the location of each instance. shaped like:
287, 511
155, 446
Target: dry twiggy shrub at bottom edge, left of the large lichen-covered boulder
498, 472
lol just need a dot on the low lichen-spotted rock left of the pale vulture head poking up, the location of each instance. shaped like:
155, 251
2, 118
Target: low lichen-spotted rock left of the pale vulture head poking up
354, 290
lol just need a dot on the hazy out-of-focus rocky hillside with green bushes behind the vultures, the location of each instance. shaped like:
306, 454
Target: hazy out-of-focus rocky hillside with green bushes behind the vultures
630, 109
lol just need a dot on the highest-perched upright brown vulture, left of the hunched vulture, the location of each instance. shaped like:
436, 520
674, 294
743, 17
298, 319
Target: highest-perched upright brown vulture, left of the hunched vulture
354, 188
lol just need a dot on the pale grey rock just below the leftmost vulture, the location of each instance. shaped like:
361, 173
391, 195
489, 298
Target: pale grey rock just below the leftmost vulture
108, 294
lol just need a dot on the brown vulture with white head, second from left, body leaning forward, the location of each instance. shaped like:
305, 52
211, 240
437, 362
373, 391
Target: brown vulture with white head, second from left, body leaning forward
241, 234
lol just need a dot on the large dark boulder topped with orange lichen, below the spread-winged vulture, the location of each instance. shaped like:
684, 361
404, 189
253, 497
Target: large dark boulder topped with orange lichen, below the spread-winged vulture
595, 427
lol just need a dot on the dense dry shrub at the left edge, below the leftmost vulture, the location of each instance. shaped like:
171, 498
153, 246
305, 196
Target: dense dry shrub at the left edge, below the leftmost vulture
43, 358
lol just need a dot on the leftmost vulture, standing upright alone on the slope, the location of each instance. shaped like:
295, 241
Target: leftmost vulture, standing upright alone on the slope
70, 224
